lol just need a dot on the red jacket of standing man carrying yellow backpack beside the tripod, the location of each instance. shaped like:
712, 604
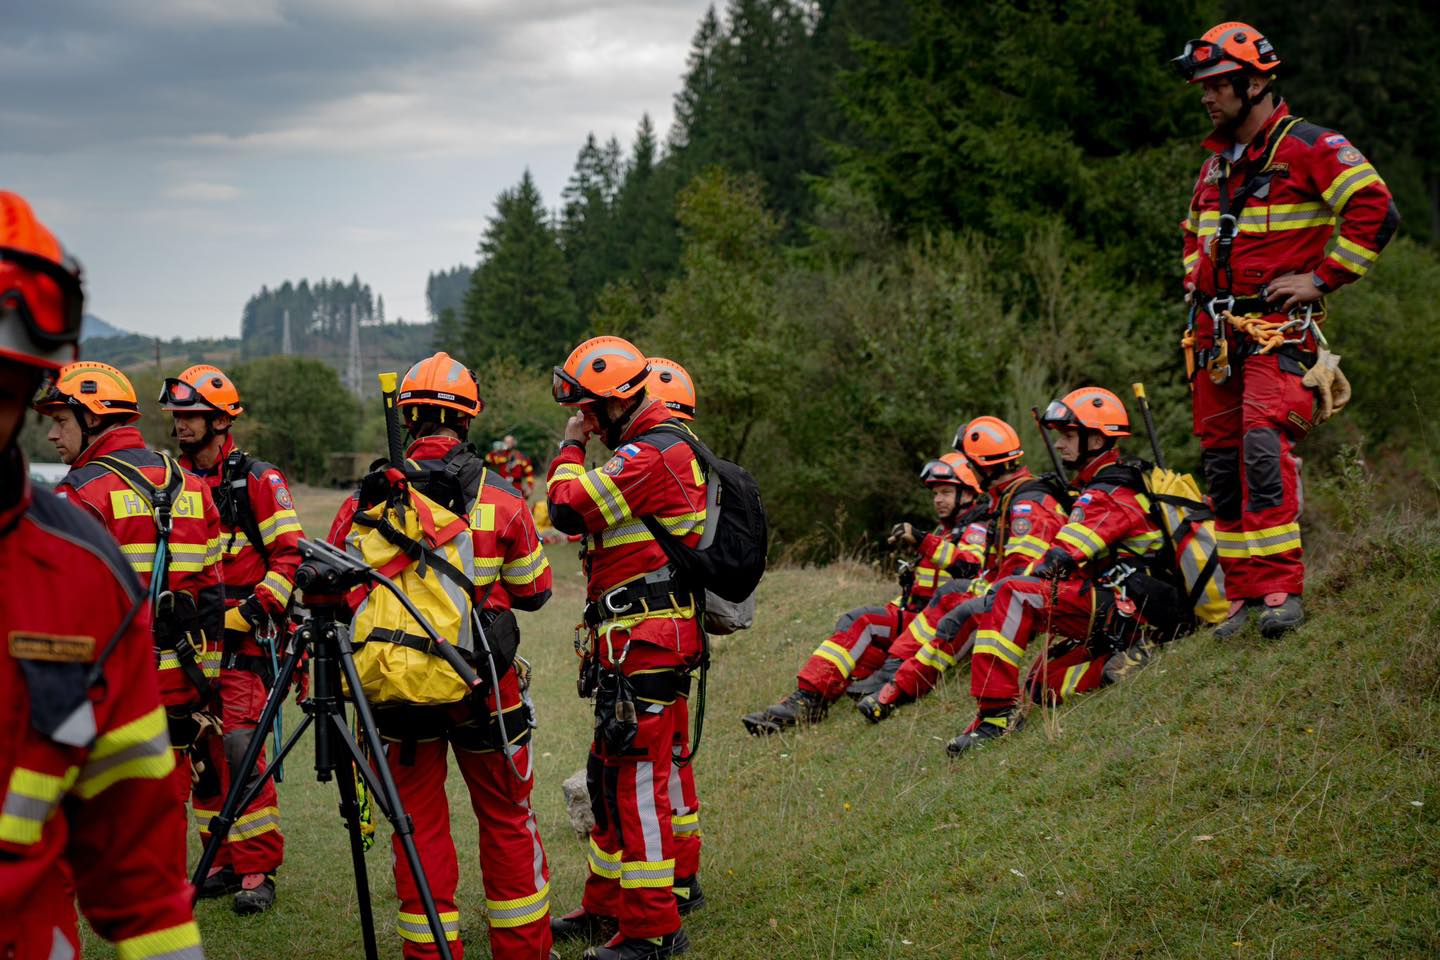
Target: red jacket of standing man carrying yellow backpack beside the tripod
510, 566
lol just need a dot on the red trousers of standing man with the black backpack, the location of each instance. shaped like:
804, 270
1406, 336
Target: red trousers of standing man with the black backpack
634, 856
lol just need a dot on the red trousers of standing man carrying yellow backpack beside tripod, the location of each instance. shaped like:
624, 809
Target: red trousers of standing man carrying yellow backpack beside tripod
515, 871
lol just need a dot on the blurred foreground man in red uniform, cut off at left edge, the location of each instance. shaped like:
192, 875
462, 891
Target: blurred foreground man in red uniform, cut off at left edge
83, 745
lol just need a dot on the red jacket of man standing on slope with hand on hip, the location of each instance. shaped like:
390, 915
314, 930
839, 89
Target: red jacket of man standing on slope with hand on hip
1318, 178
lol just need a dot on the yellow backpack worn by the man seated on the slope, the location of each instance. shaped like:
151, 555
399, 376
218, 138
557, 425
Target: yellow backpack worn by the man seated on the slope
1192, 530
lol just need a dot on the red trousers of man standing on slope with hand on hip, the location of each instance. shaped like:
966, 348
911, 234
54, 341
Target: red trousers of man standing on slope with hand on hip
1248, 430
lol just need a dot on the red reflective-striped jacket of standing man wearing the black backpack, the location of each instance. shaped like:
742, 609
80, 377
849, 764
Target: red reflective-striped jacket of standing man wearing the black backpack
657, 477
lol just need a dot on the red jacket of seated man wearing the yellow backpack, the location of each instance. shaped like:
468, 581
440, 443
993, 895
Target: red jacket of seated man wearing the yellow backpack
1111, 520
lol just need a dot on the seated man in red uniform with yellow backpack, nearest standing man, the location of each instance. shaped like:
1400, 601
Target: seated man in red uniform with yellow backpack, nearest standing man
1097, 589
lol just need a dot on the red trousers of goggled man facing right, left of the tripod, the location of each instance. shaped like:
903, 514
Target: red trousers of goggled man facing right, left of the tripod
256, 844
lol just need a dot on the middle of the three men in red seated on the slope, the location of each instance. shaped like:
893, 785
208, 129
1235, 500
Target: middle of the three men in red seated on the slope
1023, 512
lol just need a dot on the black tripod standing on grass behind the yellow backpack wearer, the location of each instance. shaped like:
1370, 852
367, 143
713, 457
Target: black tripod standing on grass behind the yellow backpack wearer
328, 575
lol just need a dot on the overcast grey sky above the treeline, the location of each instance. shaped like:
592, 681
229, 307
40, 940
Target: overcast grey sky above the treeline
192, 150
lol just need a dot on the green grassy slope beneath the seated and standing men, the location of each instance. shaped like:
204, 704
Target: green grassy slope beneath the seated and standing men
1245, 801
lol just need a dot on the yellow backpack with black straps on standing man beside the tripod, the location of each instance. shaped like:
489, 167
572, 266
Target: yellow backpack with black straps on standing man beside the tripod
431, 556
